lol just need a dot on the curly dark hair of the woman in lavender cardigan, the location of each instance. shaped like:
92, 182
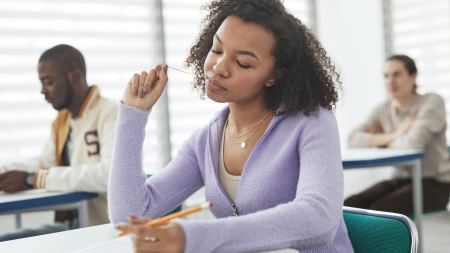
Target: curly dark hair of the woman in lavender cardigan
305, 77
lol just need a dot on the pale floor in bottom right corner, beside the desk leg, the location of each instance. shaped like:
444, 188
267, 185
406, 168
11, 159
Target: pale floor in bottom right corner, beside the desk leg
437, 232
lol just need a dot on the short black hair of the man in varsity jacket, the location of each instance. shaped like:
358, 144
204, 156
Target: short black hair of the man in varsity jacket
67, 57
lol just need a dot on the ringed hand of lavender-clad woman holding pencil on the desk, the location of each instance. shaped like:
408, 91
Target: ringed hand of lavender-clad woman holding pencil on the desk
168, 238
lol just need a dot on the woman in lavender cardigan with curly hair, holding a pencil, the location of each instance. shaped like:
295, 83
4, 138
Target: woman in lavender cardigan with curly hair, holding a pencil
270, 161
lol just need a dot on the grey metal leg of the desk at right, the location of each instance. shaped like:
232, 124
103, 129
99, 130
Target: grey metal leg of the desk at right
418, 201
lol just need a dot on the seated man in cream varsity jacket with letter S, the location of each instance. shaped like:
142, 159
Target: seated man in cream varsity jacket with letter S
78, 155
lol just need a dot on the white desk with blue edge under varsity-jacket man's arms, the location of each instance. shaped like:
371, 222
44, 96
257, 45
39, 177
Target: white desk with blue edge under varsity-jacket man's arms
37, 200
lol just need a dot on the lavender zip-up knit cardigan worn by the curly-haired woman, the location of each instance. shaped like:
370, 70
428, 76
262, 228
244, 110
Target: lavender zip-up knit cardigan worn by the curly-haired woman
290, 194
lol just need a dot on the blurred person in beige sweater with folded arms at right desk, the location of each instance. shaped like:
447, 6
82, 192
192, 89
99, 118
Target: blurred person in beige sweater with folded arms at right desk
406, 120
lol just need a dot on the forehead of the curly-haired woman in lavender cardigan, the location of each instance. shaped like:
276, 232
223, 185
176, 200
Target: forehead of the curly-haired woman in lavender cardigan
236, 33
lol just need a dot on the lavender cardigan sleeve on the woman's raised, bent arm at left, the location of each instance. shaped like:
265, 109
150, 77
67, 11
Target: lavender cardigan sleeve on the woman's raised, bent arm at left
128, 190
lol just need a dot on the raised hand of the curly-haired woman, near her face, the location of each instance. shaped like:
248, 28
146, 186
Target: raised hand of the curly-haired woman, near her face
143, 90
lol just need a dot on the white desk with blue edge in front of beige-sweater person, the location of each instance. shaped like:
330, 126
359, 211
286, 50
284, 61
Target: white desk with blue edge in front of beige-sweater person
373, 157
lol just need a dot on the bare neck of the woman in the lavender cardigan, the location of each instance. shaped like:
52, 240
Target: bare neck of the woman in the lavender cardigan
244, 116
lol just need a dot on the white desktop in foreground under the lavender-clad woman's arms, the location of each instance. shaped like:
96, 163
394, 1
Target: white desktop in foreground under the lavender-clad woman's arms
69, 241
